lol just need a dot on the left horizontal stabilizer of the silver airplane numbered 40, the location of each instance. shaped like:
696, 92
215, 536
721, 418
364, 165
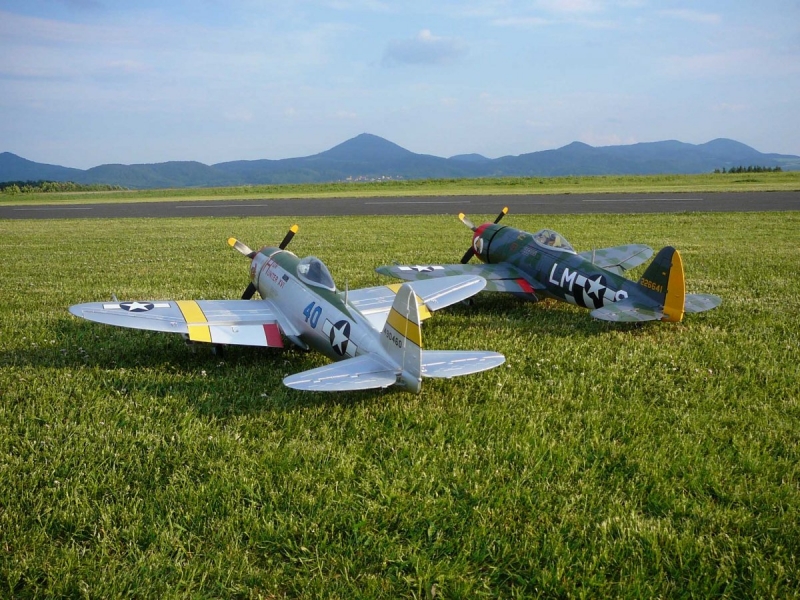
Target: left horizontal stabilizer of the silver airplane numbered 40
363, 372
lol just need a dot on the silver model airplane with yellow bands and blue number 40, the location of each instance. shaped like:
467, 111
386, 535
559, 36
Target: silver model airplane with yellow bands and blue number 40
374, 333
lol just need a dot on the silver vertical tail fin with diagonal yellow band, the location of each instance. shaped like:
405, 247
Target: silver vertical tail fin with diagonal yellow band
402, 338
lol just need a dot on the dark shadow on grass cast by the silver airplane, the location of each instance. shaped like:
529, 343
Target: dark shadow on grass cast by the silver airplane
243, 380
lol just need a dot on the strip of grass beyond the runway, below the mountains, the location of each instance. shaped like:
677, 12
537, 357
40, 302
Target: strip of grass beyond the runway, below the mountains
728, 182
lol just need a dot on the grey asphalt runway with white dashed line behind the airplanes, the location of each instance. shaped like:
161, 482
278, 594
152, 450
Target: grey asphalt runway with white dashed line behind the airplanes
420, 205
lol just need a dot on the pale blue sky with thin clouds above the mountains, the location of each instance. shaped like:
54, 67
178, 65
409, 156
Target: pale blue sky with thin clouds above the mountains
88, 82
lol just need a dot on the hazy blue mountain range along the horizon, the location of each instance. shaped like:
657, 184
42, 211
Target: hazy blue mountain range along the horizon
369, 157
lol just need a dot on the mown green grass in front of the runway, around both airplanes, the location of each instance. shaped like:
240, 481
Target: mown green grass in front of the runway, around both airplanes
601, 461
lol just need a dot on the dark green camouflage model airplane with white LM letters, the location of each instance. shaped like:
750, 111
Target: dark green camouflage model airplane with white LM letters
544, 265
